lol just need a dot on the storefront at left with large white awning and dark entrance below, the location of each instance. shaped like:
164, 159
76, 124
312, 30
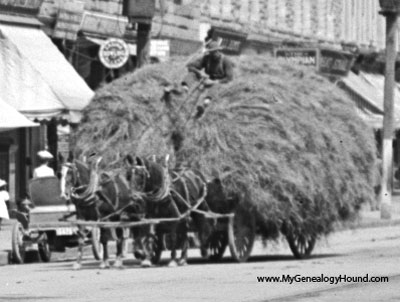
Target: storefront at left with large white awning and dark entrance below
38, 82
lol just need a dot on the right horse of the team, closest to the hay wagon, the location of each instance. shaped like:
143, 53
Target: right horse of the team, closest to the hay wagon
169, 194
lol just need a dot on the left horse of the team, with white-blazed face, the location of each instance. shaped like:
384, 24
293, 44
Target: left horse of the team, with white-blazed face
99, 197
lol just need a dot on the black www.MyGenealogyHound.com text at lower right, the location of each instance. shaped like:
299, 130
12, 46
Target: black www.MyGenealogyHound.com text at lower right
322, 278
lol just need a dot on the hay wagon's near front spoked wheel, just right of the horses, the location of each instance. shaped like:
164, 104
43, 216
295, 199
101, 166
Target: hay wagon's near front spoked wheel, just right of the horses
241, 234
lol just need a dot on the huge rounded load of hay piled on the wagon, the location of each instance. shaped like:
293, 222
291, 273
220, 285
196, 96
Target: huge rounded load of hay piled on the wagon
285, 139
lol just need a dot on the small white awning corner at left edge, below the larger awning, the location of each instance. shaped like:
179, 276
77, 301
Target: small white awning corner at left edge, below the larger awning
10, 118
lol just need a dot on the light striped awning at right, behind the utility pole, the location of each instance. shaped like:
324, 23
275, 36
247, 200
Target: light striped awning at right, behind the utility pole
367, 90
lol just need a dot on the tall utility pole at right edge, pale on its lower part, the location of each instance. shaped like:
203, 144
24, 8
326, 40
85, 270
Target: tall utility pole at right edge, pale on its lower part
390, 10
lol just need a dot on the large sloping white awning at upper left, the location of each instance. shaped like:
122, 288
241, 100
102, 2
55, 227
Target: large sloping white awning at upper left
37, 80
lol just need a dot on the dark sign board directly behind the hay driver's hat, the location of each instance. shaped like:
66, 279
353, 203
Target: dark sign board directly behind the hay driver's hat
232, 41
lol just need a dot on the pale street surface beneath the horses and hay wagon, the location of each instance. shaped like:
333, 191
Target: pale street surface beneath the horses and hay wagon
373, 251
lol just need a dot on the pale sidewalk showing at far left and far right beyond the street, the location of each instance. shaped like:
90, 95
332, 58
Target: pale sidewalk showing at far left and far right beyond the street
368, 219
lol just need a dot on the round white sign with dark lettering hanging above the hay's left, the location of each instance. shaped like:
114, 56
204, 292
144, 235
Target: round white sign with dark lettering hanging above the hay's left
114, 53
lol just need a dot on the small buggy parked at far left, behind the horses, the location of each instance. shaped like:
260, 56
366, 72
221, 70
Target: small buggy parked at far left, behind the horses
46, 226
